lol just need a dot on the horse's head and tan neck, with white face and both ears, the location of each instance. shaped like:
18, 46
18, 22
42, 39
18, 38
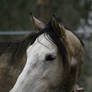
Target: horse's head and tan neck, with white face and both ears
54, 59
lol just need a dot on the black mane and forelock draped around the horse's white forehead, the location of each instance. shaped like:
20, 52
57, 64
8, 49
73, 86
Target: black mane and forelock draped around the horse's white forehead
18, 48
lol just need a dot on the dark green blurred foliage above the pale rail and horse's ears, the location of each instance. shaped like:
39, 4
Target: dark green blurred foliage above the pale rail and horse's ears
14, 14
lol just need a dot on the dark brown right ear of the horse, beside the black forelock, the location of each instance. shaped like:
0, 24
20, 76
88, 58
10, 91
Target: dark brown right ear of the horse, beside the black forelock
57, 28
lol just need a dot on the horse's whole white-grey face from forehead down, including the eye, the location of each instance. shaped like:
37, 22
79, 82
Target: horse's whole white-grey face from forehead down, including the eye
43, 70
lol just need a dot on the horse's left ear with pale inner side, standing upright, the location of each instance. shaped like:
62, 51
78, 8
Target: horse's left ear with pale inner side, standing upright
38, 25
